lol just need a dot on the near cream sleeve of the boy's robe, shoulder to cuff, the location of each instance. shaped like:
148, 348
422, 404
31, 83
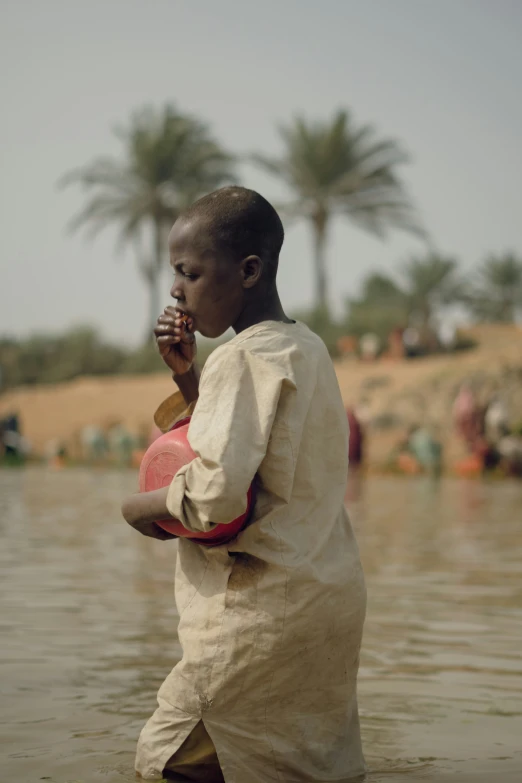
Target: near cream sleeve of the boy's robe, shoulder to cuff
229, 432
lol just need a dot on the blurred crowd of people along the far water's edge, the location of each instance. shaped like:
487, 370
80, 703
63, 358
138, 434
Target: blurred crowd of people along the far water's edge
491, 441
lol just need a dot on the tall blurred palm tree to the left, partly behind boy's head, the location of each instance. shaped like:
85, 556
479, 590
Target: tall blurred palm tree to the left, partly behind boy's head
169, 160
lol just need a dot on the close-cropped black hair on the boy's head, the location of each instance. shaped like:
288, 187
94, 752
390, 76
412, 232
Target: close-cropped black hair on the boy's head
242, 223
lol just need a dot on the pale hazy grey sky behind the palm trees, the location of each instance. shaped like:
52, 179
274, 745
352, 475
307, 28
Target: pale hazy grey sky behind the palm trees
443, 76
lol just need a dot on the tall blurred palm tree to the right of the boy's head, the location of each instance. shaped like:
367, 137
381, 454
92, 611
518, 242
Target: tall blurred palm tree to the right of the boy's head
337, 169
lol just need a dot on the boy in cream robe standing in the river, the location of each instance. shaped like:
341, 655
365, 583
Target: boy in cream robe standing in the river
270, 623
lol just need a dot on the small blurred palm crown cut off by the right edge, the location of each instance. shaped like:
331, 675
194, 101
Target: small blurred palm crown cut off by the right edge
497, 294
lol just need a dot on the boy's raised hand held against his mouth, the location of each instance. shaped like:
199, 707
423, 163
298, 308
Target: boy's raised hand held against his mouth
175, 340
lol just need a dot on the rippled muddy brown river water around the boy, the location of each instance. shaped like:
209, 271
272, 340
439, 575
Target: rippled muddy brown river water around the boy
88, 628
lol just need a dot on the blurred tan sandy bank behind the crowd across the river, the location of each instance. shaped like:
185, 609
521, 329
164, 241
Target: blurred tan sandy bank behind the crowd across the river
395, 393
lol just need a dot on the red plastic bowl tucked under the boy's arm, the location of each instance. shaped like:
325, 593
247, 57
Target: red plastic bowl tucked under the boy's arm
159, 465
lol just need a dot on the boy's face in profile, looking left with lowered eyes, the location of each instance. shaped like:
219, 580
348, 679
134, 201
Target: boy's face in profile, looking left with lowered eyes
208, 287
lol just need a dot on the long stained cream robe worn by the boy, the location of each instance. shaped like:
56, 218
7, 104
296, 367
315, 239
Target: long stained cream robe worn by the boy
270, 623
